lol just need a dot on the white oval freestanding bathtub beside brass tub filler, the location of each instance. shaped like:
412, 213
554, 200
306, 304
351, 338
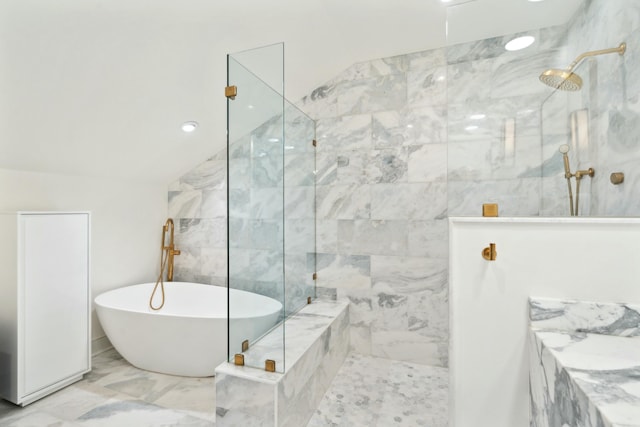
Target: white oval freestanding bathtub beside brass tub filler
188, 336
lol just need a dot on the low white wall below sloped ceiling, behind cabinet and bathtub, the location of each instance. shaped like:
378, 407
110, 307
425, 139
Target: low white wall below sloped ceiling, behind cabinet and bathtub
126, 221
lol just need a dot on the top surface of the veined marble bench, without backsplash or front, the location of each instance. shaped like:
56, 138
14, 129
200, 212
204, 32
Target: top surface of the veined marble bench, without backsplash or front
605, 368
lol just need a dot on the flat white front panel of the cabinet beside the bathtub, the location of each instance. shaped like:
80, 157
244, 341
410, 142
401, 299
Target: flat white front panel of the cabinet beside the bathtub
55, 297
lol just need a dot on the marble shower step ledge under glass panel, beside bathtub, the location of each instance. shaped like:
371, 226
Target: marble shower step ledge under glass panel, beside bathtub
316, 345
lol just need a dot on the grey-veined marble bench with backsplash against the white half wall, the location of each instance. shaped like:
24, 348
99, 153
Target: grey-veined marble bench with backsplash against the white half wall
584, 364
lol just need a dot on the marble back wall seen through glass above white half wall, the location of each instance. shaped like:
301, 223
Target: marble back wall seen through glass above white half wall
491, 91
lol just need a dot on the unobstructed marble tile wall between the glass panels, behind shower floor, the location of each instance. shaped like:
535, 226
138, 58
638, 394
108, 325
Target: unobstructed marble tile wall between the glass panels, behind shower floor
381, 200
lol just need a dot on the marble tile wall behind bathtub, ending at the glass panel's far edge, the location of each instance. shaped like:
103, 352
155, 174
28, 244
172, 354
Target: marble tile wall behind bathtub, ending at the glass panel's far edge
267, 235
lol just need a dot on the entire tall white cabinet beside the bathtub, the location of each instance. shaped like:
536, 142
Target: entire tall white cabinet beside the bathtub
44, 303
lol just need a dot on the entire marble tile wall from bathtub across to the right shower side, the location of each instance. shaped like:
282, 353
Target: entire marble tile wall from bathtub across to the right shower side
405, 142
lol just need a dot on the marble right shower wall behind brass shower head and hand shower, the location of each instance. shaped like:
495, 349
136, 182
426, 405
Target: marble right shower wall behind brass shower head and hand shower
611, 96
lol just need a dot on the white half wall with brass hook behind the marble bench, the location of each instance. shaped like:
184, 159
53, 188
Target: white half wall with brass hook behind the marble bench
593, 259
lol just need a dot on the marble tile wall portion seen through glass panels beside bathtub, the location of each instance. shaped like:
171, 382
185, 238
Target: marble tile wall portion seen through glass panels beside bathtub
272, 207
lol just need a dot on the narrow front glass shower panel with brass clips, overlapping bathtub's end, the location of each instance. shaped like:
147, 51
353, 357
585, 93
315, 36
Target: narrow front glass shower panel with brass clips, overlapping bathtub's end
255, 135
